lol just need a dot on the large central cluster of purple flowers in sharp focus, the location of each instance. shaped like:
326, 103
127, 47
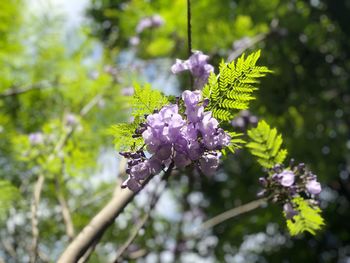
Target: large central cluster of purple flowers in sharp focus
169, 136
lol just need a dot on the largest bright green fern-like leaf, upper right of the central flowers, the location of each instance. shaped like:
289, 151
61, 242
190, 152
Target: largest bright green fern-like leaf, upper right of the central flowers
232, 89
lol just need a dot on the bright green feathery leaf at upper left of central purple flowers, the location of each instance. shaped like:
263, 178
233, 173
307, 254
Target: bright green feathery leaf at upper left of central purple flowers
146, 100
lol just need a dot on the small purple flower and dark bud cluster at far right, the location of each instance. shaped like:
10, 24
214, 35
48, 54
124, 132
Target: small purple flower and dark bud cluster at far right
285, 184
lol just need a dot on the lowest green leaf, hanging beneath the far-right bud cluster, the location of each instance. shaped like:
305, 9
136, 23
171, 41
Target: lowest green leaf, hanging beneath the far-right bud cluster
308, 219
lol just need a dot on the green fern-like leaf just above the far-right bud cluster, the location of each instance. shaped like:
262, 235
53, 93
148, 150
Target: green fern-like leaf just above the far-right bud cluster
266, 145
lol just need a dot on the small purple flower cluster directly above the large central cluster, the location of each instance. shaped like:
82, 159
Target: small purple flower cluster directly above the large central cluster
198, 65
